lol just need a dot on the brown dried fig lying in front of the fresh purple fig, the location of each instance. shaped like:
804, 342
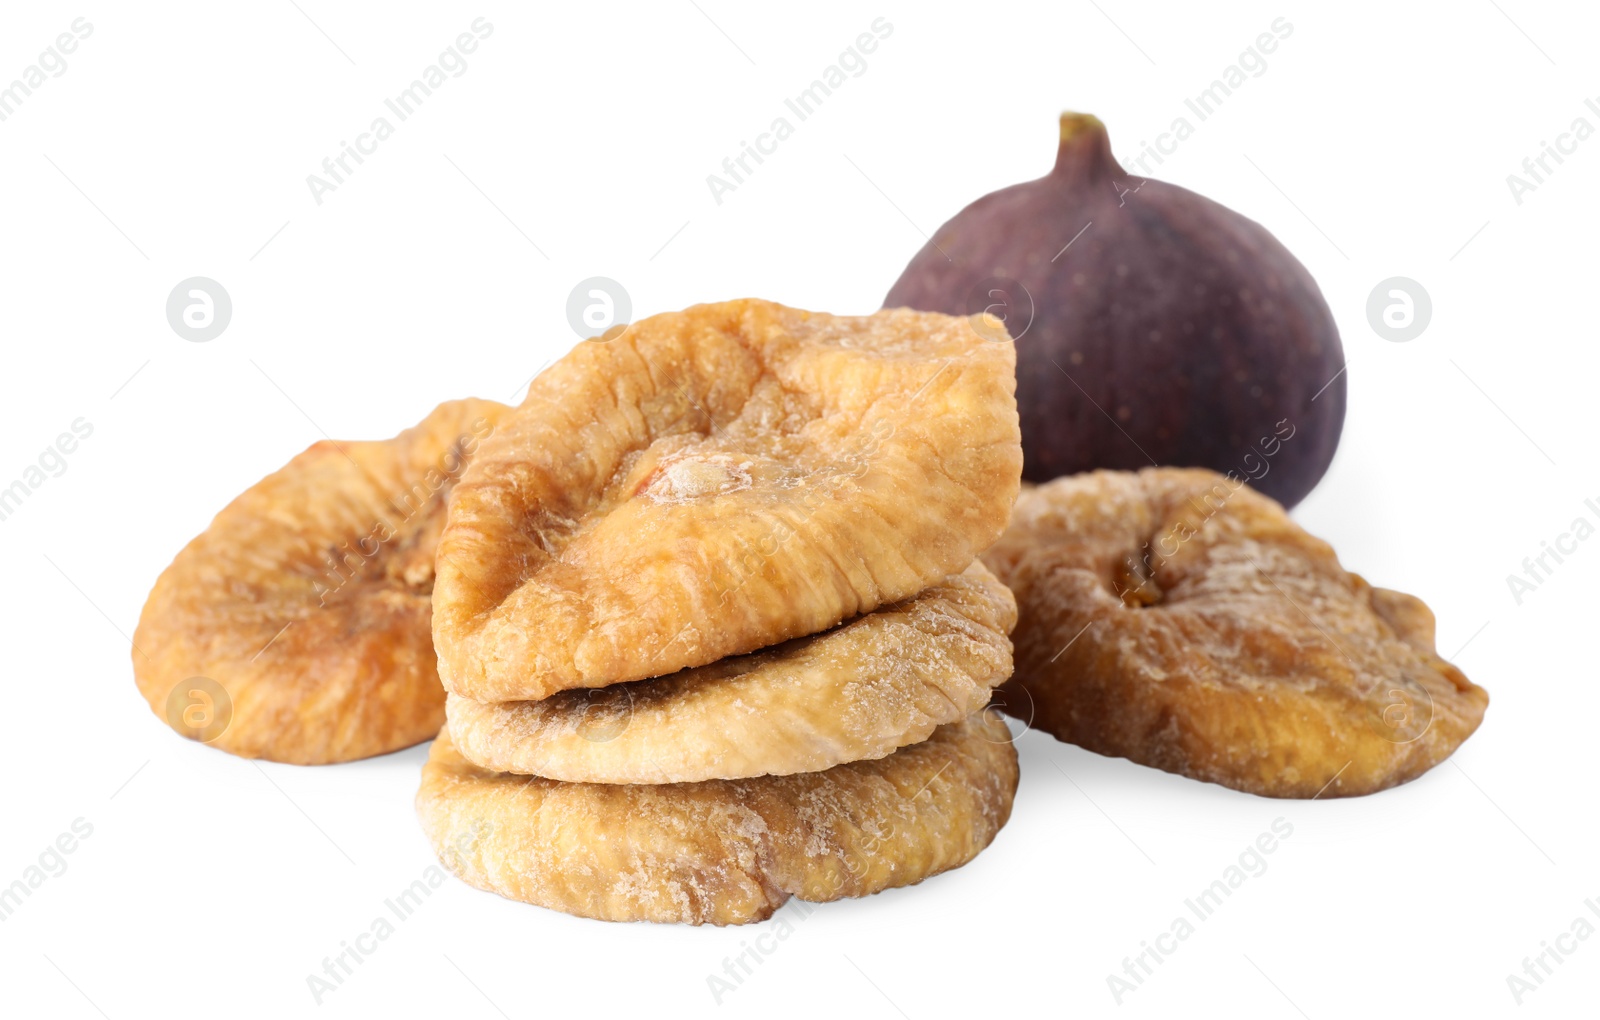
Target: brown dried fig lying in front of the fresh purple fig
1180, 620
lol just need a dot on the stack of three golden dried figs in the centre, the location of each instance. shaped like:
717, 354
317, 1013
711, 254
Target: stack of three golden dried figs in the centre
711, 623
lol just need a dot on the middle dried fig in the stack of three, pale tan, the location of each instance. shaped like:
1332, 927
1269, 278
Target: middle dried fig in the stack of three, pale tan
858, 691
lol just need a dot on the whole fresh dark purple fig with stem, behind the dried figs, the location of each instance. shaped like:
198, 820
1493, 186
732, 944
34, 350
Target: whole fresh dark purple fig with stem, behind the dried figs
1172, 332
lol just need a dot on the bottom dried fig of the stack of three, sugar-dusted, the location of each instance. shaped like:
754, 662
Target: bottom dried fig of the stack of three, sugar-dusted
722, 851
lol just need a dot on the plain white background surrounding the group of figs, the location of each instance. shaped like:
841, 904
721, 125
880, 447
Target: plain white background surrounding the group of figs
577, 143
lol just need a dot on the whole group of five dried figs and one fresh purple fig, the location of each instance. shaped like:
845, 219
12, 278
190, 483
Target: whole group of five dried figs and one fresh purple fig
710, 607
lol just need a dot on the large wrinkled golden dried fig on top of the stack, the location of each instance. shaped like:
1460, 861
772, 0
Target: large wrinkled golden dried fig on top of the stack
714, 482
